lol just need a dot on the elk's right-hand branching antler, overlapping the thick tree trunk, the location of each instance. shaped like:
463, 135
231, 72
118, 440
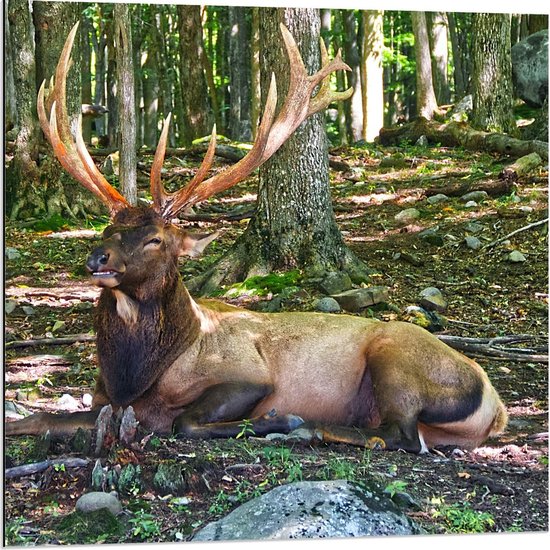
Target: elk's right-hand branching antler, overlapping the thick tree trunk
271, 134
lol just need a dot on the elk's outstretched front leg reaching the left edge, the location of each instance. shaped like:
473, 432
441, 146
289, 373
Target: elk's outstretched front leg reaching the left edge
59, 425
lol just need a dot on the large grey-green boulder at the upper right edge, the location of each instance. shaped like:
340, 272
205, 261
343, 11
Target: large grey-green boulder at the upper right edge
530, 68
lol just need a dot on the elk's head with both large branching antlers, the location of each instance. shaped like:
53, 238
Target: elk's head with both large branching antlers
142, 242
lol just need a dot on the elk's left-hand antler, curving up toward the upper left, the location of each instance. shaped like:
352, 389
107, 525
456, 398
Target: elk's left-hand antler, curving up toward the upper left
74, 158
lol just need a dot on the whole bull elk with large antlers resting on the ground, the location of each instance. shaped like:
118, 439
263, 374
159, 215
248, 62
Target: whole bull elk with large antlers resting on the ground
200, 368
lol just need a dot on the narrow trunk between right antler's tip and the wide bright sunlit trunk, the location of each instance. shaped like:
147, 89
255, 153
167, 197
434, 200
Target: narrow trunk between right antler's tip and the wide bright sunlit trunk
351, 57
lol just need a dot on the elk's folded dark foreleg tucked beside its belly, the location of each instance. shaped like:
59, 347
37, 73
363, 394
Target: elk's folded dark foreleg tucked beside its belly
221, 409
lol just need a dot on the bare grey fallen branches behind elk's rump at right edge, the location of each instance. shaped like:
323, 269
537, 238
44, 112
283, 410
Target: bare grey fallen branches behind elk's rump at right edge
494, 347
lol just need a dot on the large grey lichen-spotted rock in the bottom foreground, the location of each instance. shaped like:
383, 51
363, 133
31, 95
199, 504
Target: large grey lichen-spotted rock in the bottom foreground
311, 510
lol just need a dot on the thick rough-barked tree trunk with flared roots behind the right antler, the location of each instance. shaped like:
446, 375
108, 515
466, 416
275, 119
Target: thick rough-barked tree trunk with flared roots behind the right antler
294, 224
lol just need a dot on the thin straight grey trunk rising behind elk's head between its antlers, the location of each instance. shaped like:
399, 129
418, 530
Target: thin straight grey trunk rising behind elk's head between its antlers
126, 102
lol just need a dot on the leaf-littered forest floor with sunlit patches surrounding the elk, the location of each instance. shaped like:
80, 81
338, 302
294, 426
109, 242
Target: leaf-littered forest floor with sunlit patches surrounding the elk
500, 487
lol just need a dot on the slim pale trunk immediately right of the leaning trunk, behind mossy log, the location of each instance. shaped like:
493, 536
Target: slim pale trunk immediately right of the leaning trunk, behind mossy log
440, 56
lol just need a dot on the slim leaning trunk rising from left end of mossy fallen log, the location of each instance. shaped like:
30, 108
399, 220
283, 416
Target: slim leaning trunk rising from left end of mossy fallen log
426, 103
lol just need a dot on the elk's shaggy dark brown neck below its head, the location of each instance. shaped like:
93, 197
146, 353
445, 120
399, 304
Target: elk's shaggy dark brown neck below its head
138, 338
